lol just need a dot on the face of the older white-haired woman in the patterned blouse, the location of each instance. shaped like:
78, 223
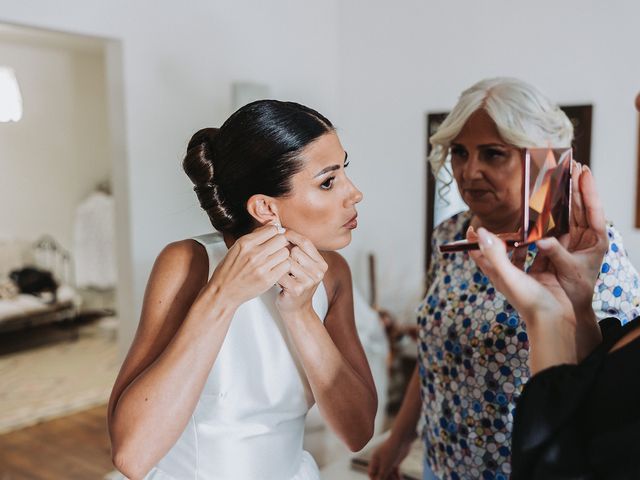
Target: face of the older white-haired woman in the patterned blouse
487, 170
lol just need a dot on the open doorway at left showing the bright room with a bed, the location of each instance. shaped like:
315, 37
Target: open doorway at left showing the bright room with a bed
63, 210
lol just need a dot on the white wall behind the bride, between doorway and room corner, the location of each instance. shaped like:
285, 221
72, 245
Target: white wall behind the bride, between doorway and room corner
179, 60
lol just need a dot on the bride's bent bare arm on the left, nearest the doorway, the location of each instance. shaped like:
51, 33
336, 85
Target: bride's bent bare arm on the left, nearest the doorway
164, 373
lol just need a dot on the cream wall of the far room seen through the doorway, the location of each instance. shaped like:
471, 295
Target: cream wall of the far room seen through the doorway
58, 152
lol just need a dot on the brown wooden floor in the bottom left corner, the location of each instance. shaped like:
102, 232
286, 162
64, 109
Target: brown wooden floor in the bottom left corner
69, 448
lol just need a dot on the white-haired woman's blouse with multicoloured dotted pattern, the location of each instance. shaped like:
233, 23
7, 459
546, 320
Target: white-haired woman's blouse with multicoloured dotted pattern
473, 351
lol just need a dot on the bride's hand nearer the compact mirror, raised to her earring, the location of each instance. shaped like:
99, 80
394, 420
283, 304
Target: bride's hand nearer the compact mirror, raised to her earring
307, 271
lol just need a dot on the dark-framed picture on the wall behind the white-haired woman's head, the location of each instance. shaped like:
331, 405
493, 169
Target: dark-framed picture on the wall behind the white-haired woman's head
449, 199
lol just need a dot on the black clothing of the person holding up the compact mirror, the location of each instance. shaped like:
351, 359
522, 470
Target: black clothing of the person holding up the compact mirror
582, 421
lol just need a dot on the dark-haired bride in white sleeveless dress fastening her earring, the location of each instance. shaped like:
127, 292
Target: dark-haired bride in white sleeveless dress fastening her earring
243, 329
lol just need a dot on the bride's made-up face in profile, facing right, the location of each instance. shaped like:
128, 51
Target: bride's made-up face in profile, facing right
321, 205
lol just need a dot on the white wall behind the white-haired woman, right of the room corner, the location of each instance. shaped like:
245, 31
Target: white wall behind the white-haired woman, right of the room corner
399, 60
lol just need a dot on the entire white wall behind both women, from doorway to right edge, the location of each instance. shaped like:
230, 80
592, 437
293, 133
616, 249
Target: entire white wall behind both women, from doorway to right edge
374, 67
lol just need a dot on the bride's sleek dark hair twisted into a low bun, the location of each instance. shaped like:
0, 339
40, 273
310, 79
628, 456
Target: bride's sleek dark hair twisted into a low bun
255, 151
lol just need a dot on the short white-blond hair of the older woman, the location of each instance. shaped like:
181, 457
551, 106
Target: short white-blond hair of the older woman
523, 115
